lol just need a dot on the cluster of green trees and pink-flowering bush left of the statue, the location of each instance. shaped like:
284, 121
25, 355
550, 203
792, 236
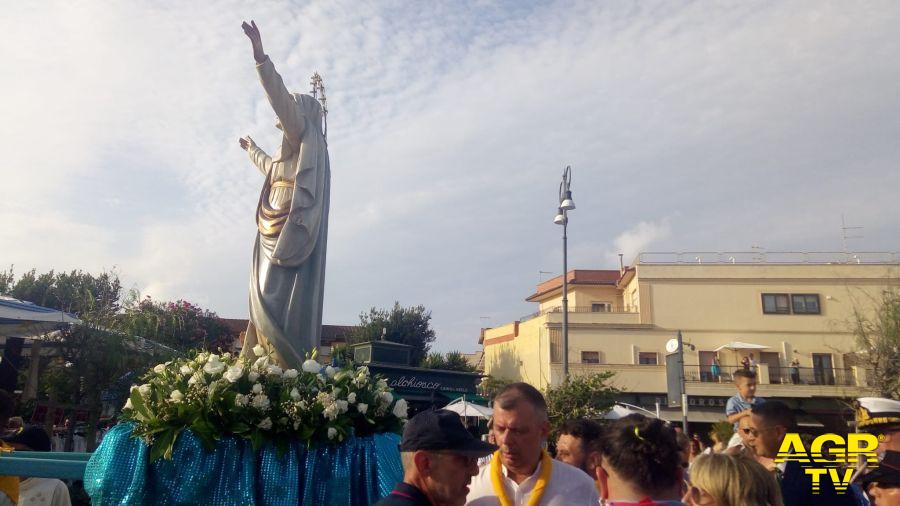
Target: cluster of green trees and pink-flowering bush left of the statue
115, 342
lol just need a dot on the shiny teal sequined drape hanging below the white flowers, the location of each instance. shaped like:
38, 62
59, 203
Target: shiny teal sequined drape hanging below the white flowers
360, 471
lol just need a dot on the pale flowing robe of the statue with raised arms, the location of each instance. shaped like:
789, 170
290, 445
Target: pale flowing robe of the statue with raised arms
287, 278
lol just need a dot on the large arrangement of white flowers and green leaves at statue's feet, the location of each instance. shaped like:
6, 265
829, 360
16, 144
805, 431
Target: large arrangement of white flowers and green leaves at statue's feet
216, 395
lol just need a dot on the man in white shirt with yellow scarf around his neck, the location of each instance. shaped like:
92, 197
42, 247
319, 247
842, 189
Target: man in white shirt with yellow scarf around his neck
521, 468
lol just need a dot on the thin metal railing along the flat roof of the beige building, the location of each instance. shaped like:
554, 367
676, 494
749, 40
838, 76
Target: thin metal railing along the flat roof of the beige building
769, 257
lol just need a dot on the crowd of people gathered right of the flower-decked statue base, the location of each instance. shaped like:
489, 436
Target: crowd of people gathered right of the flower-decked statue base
633, 460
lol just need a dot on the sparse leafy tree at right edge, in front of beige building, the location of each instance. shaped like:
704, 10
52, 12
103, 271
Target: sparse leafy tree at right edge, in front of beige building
878, 341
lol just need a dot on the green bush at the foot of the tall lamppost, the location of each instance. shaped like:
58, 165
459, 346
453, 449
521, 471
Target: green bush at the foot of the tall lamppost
583, 396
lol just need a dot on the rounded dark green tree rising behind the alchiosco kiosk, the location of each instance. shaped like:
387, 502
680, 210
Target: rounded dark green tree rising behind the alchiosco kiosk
406, 325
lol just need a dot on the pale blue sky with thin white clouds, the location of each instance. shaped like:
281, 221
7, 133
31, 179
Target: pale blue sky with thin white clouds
689, 126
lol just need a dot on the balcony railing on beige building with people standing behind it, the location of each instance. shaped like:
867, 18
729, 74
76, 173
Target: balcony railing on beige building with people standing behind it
777, 375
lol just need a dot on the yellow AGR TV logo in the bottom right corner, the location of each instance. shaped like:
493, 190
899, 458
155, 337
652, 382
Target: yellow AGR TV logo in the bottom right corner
830, 452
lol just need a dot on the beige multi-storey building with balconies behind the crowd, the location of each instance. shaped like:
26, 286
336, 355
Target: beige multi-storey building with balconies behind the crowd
777, 307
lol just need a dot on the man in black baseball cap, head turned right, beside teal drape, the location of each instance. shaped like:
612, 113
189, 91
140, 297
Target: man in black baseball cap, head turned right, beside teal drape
439, 459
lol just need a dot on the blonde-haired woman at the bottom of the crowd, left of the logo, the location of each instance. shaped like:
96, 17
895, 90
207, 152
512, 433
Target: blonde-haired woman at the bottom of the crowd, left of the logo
731, 480
